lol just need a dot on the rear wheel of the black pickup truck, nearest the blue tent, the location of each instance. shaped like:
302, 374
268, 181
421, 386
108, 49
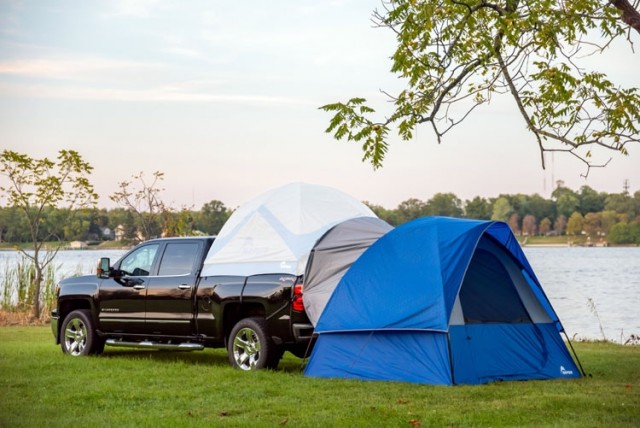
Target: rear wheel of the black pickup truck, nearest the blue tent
250, 347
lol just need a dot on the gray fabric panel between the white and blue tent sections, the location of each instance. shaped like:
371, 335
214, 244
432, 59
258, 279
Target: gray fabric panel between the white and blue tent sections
333, 255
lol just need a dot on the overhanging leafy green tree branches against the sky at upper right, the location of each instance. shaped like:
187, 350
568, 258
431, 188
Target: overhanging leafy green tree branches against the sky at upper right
456, 55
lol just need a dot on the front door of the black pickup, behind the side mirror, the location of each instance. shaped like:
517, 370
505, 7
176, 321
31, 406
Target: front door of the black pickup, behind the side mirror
122, 299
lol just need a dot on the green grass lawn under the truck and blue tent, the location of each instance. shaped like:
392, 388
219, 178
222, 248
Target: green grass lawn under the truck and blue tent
39, 386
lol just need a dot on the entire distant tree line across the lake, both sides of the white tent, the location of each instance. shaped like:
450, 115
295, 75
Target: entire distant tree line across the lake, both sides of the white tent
614, 217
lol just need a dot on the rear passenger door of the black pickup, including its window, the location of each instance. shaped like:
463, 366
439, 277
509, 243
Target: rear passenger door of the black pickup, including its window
170, 294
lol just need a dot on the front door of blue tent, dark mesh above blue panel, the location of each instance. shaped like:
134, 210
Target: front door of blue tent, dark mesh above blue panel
495, 337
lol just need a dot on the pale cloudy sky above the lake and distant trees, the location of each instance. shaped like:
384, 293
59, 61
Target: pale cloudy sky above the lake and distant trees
223, 98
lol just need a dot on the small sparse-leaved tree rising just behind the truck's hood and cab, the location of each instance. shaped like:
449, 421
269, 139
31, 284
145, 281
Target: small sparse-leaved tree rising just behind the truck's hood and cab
143, 202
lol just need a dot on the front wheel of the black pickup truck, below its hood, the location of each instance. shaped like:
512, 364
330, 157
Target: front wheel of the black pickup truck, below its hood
79, 338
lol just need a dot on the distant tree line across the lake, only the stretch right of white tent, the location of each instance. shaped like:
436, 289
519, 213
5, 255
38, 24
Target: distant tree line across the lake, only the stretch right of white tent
614, 218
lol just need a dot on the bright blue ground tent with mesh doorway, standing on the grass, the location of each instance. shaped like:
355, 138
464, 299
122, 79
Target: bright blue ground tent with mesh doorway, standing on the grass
441, 301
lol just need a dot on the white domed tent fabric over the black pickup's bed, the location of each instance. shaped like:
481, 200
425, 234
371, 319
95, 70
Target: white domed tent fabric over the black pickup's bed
275, 232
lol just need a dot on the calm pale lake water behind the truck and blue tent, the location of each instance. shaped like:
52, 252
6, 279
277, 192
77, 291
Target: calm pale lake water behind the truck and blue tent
571, 277
